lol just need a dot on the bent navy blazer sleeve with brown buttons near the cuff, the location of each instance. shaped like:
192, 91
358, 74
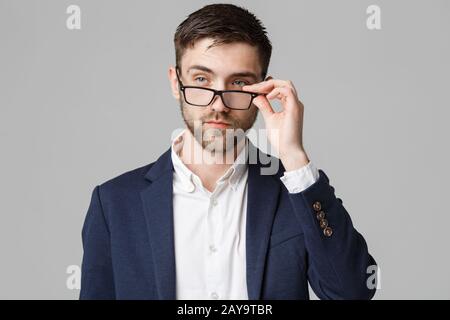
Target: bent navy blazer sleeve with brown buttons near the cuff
338, 257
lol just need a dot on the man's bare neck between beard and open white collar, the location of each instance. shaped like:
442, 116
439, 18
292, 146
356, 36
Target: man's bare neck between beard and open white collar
208, 166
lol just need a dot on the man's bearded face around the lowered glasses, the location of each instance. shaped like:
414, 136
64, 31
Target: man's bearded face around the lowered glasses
223, 67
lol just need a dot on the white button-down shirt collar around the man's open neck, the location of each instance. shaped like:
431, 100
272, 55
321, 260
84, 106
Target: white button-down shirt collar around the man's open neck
189, 180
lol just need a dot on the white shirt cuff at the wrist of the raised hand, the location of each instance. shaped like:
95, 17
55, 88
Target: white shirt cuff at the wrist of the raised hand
298, 180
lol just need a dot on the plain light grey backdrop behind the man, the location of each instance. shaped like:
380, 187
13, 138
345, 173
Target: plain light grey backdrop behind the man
80, 107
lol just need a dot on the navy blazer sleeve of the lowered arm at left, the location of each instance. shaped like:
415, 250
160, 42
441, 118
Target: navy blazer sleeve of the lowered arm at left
97, 281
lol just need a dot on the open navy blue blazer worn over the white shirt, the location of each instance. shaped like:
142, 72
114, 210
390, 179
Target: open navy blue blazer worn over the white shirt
128, 239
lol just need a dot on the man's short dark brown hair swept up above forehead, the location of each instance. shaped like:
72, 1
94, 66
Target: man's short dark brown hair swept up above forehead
225, 23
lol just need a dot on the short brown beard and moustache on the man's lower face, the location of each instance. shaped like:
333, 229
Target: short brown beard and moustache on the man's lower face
218, 140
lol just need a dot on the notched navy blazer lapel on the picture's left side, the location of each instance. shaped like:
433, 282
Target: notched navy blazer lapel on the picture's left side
158, 211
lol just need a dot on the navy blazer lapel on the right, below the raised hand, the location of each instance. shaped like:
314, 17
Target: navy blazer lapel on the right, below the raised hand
263, 193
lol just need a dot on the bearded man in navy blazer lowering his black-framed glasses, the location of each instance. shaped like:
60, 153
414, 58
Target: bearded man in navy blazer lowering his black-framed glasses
180, 228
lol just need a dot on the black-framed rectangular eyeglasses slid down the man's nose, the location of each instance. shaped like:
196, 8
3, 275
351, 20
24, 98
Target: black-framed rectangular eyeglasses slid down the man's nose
202, 97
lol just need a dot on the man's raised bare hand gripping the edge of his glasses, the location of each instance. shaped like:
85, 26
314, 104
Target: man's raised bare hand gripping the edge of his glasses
284, 128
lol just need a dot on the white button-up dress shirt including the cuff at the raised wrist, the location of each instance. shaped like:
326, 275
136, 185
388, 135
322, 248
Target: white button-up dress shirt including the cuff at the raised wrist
210, 227
